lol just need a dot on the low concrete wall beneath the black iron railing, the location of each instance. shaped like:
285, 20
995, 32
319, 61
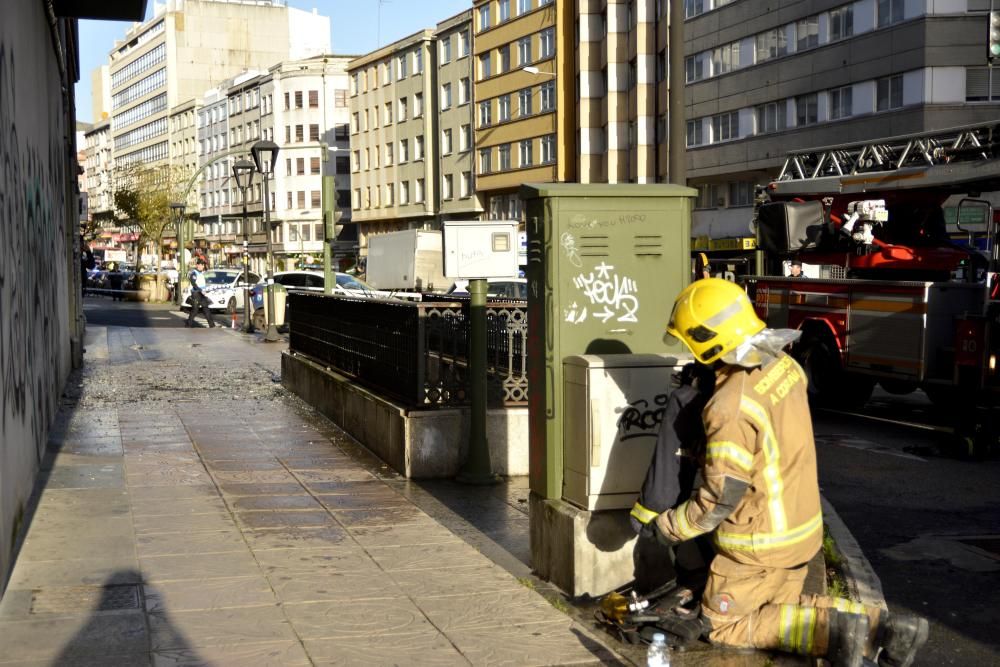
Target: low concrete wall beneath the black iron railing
418, 444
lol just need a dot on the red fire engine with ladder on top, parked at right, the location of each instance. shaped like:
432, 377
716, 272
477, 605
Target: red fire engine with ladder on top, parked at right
902, 299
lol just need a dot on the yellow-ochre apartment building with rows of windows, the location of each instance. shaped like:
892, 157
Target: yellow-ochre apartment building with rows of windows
524, 73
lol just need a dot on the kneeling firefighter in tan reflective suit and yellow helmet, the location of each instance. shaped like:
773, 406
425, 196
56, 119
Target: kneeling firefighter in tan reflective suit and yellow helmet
761, 496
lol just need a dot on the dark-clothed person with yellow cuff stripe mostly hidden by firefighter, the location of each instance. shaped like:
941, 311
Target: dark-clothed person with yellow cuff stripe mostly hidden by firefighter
670, 479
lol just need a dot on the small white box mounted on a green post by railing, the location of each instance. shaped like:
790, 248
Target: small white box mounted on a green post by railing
481, 249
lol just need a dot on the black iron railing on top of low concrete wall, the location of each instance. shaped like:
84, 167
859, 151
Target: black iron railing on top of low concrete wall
413, 352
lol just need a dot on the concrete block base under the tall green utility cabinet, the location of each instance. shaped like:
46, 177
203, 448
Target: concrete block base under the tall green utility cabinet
579, 551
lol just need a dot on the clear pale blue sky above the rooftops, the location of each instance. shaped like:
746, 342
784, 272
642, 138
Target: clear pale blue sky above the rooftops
356, 26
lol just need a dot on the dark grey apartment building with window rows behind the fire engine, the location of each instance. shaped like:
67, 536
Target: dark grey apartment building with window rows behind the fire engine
765, 80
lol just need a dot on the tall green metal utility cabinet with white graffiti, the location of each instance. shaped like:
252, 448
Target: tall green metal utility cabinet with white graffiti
605, 263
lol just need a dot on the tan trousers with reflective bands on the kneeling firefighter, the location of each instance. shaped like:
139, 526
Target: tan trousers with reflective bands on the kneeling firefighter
752, 606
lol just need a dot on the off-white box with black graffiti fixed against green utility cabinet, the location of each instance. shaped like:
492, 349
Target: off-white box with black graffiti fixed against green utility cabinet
613, 408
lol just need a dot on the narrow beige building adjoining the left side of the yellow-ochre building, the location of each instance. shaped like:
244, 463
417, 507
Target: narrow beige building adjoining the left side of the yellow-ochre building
456, 119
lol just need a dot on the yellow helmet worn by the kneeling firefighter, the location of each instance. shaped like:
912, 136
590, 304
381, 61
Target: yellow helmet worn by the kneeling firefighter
712, 317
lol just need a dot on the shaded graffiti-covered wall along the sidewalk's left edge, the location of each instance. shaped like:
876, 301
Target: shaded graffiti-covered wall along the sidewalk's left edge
35, 356
